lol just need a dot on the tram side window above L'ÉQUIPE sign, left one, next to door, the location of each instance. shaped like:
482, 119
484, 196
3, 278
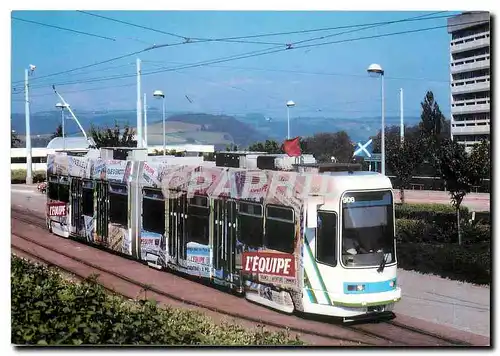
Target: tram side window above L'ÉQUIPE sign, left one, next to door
251, 224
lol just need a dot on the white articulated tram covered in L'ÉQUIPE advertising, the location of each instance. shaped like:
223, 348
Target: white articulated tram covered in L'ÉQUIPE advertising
293, 240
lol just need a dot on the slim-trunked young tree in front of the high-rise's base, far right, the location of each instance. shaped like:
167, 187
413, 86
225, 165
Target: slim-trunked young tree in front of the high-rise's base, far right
461, 171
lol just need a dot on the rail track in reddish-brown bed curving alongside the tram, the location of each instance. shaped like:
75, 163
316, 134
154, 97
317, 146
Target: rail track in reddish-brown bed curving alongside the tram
381, 333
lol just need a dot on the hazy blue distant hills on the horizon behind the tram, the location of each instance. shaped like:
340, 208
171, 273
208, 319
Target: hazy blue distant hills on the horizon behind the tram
219, 130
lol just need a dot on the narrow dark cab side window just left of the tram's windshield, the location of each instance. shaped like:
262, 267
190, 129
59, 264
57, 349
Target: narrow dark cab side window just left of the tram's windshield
326, 237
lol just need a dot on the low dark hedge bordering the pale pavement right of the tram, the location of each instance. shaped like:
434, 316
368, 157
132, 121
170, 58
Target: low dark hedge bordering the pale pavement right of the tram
468, 263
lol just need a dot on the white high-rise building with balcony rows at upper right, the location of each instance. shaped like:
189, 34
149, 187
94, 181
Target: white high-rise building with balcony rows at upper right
470, 77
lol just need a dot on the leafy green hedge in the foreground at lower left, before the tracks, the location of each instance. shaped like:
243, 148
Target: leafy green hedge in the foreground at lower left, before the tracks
46, 309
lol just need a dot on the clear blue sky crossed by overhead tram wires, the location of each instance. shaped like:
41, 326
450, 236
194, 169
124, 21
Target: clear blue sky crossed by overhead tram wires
328, 80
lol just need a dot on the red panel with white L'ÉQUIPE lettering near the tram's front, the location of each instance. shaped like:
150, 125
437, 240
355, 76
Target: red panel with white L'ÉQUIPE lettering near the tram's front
278, 264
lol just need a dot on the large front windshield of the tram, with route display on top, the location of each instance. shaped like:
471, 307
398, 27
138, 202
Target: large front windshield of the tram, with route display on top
367, 229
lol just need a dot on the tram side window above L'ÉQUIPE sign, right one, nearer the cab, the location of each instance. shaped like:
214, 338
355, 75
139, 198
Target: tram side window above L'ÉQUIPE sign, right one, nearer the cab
280, 229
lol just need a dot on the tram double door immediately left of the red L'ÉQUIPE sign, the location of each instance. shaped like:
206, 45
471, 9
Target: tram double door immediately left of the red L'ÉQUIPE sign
224, 240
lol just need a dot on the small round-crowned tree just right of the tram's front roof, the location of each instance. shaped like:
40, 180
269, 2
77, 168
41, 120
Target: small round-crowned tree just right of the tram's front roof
403, 159
